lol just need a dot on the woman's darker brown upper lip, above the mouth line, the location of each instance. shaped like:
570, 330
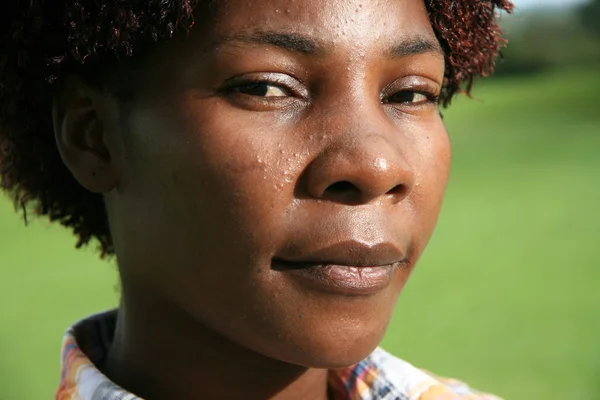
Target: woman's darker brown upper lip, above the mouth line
348, 253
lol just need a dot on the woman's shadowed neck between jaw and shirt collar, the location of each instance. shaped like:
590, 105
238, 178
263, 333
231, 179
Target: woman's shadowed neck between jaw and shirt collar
160, 352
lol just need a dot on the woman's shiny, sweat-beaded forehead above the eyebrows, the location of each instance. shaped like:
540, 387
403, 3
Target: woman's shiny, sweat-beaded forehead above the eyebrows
359, 24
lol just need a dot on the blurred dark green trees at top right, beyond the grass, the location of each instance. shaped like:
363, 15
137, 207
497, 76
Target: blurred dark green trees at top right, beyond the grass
542, 39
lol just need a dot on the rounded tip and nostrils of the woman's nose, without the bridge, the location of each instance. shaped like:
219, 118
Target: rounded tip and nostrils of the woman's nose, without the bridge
357, 171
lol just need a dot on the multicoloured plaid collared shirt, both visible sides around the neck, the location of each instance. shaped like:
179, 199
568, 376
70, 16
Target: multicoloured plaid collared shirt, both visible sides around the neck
379, 377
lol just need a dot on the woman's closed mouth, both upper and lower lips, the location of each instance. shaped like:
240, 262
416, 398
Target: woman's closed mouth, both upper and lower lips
348, 268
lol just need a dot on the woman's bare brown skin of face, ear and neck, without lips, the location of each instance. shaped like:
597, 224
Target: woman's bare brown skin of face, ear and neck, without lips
274, 130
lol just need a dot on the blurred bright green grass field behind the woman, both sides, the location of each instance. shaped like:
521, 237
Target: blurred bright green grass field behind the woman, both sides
507, 296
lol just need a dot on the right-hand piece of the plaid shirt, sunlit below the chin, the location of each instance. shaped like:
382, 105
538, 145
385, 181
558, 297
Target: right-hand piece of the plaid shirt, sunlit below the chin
384, 376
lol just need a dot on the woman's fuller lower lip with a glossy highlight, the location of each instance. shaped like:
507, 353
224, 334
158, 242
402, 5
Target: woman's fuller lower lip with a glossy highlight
341, 279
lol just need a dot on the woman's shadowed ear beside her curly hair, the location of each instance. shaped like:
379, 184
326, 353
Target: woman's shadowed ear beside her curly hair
81, 115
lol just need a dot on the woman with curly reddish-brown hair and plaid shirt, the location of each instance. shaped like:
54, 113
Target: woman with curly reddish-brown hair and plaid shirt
267, 174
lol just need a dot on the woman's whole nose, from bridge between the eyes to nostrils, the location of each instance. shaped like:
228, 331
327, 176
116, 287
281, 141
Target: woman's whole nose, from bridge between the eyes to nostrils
362, 159
